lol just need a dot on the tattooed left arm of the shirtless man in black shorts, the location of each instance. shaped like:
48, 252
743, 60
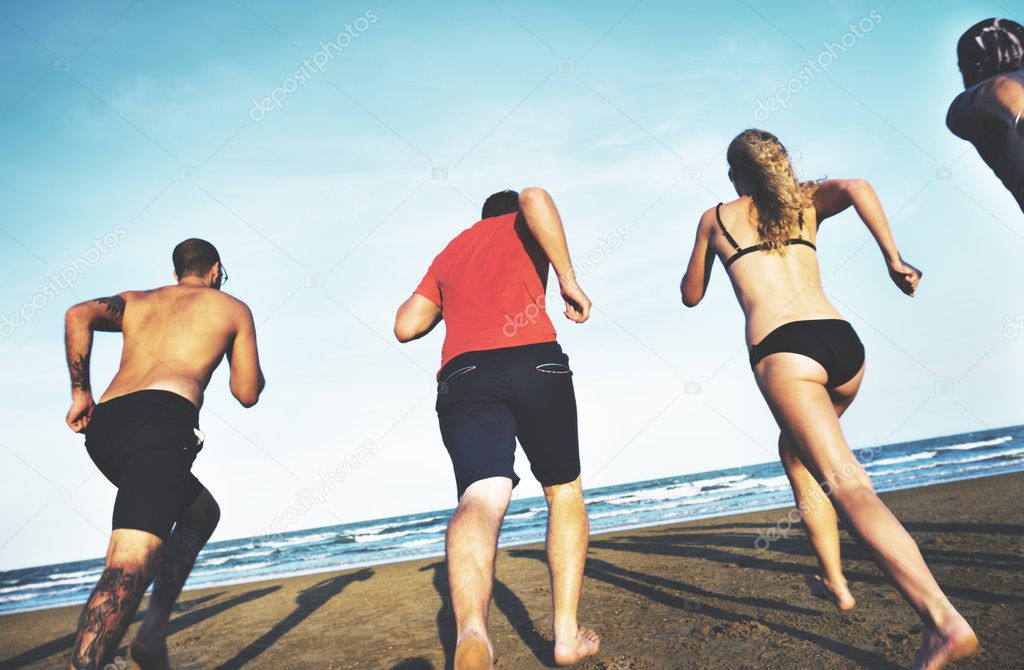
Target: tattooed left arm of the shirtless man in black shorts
81, 322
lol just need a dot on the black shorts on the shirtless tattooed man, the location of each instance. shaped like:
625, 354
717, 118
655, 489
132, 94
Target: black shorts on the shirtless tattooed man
145, 443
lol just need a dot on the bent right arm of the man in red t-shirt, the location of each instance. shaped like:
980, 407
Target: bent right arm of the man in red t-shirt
546, 227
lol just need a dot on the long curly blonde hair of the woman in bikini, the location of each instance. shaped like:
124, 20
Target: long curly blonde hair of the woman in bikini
778, 198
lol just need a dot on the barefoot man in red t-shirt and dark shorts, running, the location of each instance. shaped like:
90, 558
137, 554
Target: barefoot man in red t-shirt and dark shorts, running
504, 376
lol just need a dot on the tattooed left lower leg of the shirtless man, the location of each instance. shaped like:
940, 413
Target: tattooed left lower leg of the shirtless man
106, 617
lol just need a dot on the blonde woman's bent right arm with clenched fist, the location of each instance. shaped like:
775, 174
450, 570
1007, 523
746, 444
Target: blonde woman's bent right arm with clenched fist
835, 196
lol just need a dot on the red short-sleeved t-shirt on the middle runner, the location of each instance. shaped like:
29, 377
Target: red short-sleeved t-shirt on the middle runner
490, 284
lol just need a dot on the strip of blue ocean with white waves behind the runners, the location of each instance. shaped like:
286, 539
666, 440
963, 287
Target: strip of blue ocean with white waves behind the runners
619, 508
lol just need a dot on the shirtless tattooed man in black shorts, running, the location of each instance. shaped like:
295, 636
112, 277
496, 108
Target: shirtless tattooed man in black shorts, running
144, 437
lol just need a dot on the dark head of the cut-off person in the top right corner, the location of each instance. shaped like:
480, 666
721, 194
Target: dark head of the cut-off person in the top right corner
991, 48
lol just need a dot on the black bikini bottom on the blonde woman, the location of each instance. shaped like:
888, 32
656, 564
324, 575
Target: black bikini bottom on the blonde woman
832, 343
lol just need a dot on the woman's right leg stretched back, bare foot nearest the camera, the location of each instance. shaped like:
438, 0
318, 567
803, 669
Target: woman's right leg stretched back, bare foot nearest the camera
795, 390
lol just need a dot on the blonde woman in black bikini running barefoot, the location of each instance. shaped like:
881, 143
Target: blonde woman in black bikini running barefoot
809, 363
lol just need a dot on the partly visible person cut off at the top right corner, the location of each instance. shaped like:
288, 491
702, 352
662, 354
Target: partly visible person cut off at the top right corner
990, 114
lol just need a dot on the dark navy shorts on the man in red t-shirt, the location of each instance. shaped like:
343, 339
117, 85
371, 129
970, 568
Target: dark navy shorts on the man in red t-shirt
486, 400
